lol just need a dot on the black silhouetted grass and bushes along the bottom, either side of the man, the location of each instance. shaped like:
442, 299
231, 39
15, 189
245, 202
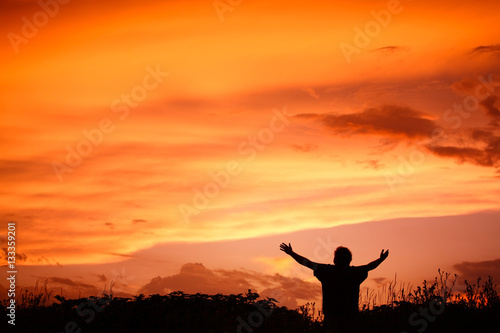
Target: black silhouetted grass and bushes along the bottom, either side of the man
432, 307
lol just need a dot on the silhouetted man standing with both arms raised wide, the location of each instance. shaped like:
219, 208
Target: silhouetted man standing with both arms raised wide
340, 283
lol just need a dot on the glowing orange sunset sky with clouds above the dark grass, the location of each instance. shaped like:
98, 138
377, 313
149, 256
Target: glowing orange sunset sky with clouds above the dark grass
173, 145
